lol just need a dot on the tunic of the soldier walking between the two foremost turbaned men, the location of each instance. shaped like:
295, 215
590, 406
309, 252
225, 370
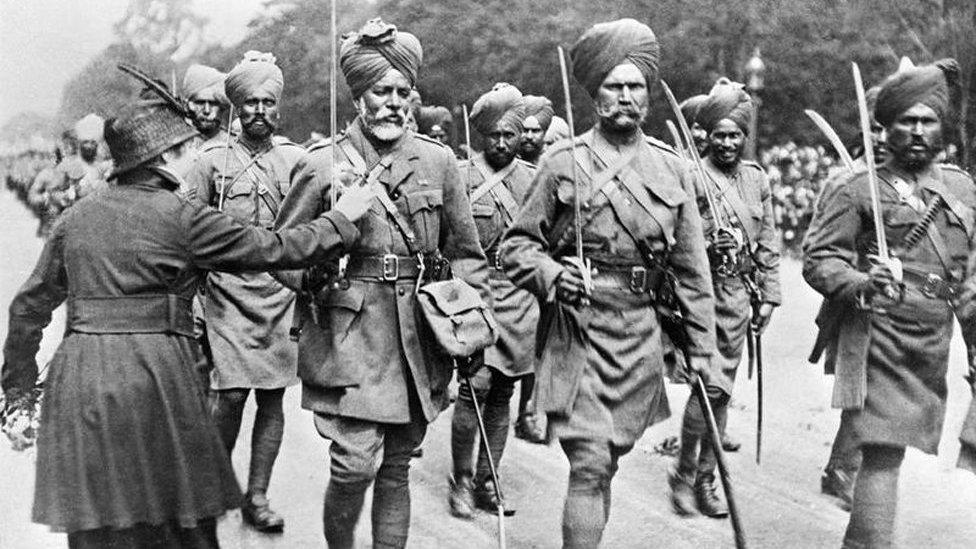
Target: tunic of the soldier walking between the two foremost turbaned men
515, 309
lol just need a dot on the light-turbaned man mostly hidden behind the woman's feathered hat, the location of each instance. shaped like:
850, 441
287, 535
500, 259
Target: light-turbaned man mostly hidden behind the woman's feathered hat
203, 88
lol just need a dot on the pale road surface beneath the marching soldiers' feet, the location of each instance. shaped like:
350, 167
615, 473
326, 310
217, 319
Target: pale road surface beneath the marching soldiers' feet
781, 501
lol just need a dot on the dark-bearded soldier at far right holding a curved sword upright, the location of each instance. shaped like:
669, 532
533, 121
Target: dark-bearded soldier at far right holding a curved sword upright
895, 316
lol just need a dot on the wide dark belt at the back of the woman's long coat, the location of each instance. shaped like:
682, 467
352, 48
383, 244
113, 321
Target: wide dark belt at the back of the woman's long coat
144, 314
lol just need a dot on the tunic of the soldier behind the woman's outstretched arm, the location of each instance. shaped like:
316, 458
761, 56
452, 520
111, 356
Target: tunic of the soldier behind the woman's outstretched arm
248, 314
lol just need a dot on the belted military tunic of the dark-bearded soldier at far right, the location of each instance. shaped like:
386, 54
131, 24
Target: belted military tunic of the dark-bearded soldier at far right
891, 363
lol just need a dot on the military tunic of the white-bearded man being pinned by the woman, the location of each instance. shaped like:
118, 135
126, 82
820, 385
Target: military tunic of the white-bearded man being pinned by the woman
369, 354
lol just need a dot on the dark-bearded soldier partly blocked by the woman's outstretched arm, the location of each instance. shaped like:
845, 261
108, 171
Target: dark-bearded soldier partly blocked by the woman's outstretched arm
248, 314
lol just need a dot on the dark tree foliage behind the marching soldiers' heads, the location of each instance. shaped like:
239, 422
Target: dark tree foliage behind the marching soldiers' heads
807, 46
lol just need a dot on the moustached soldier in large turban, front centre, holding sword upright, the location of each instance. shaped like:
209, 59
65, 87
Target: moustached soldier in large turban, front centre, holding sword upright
600, 376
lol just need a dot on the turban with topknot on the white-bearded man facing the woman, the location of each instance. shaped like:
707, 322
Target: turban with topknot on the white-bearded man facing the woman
366, 56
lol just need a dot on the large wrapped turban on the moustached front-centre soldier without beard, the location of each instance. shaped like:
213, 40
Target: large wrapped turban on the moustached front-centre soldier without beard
606, 45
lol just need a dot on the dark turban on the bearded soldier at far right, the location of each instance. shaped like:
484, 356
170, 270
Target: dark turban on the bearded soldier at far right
928, 85
